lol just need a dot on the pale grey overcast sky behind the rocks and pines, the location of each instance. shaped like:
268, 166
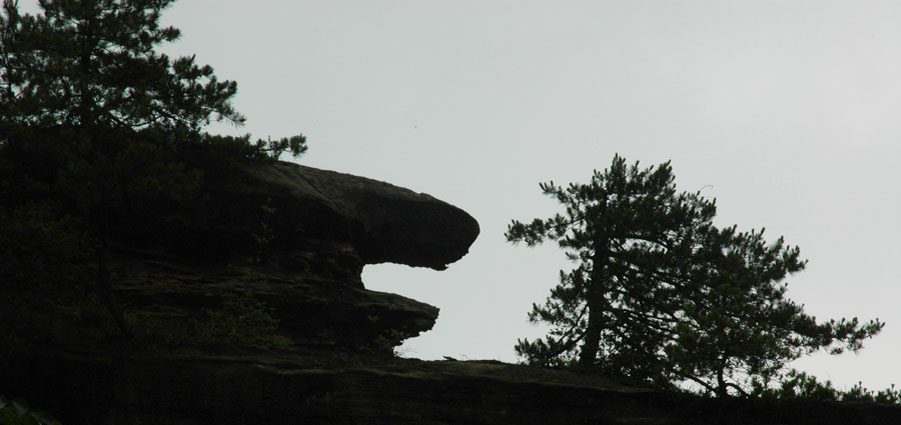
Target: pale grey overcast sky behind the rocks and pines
787, 110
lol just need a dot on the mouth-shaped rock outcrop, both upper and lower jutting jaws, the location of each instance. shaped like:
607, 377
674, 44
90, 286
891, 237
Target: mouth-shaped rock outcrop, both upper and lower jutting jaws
299, 240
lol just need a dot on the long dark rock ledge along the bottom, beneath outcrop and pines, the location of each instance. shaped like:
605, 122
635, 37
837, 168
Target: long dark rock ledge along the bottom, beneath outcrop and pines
209, 389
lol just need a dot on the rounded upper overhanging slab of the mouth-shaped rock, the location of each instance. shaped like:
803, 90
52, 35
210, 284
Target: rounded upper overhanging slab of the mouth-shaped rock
382, 222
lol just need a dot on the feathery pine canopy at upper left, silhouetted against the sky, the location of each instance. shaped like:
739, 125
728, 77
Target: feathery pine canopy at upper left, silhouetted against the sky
93, 63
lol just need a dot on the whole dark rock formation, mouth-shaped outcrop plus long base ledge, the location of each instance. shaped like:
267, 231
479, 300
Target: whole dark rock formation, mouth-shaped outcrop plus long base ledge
292, 240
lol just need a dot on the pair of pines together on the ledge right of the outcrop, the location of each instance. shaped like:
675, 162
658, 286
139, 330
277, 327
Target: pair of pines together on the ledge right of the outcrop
661, 294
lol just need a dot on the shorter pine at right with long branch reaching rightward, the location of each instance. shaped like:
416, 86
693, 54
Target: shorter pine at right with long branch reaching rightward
737, 327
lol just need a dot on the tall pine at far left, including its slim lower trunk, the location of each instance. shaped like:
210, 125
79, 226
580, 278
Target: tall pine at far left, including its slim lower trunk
92, 113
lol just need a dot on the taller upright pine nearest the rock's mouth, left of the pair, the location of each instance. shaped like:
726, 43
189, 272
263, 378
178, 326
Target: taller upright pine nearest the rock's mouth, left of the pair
624, 229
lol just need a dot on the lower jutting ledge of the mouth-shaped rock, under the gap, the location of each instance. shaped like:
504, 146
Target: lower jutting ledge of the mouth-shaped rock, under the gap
311, 310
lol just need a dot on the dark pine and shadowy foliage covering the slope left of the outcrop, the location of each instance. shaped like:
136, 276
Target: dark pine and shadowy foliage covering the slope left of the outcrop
102, 136
